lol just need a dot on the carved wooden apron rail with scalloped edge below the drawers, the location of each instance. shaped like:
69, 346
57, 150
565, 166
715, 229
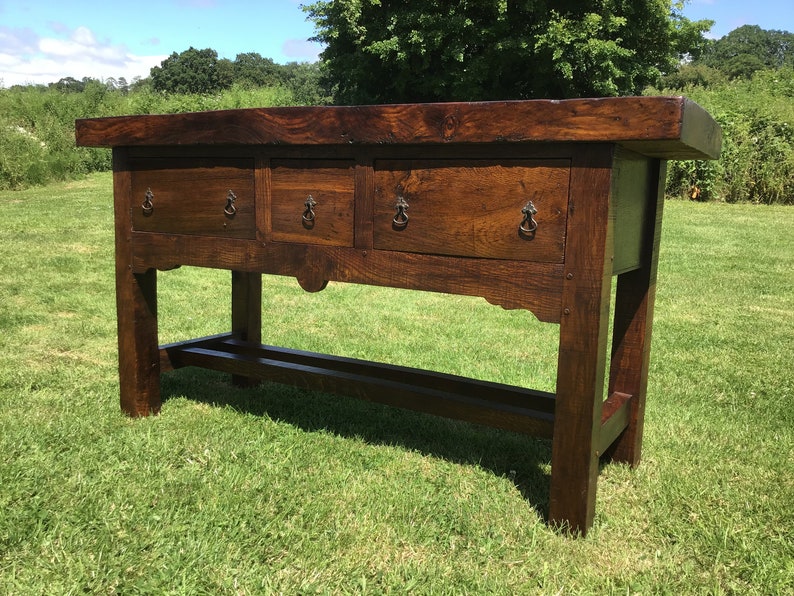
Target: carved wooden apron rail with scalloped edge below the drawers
510, 284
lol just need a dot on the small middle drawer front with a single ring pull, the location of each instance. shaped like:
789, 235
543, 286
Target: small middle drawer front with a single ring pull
312, 201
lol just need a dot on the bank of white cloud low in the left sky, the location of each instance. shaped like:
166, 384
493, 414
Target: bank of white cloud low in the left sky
26, 58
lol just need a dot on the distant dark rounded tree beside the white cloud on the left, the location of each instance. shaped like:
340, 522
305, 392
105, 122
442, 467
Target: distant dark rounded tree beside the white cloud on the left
192, 71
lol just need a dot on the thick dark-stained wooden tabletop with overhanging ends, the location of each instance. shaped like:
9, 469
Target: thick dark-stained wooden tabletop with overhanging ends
665, 127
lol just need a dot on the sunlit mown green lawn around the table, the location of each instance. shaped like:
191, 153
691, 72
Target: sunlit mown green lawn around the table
271, 490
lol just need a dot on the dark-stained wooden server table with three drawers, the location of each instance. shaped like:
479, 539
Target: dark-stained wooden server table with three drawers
529, 204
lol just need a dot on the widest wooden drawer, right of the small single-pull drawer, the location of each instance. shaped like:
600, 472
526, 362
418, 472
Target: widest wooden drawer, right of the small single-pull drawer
473, 208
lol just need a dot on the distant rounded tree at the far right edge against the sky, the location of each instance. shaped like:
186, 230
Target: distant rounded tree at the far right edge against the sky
748, 49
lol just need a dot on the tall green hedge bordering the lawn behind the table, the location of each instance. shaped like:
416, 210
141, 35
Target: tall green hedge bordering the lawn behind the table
757, 119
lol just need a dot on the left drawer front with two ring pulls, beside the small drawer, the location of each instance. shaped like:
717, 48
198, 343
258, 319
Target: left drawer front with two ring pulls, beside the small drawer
199, 196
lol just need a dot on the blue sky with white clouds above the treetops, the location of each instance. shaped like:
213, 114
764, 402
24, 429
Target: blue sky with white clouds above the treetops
43, 41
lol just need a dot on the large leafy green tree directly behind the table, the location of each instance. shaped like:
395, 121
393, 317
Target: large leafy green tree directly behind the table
385, 51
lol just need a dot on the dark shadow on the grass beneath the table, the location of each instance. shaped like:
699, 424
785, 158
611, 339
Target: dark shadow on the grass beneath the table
523, 459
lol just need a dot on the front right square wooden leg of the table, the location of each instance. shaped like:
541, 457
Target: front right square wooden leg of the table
583, 338
